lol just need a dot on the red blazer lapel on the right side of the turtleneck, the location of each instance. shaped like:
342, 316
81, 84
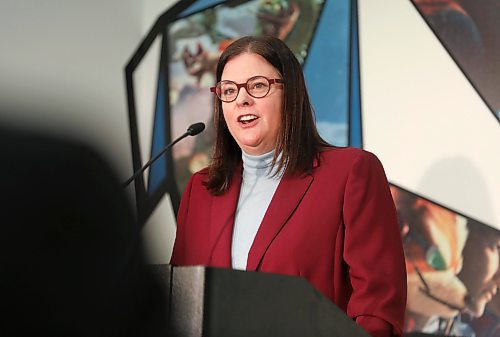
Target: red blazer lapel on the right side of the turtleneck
285, 200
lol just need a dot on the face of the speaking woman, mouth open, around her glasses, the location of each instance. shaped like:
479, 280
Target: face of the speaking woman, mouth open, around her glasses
253, 122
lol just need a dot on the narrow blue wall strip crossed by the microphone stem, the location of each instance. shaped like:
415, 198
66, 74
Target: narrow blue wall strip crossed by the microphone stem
158, 171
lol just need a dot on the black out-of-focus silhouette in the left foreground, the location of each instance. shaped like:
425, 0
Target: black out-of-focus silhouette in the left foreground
71, 261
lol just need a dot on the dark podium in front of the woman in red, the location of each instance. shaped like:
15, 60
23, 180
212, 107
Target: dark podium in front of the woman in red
214, 302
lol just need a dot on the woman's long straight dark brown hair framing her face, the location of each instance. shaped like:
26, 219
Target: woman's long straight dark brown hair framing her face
298, 140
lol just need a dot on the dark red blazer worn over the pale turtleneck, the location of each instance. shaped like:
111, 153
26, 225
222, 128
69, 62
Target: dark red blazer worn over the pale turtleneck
336, 227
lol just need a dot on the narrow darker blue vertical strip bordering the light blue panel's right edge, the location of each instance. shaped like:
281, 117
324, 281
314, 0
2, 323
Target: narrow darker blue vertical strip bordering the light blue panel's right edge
355, 120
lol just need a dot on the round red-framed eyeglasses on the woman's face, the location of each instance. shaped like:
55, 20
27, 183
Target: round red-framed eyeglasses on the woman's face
257, 86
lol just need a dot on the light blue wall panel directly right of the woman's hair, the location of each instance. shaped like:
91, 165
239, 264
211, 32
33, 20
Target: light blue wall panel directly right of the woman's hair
327, 72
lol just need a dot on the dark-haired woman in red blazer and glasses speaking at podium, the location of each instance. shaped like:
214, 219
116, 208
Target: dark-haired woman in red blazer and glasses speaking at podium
277, 198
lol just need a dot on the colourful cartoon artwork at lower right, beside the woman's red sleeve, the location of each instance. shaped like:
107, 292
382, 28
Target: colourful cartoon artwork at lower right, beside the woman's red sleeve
453, 269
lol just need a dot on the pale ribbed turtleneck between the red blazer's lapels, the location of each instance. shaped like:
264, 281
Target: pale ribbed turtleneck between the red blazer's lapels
257, 189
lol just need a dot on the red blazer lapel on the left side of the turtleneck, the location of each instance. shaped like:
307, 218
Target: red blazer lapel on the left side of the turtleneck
222, 223
